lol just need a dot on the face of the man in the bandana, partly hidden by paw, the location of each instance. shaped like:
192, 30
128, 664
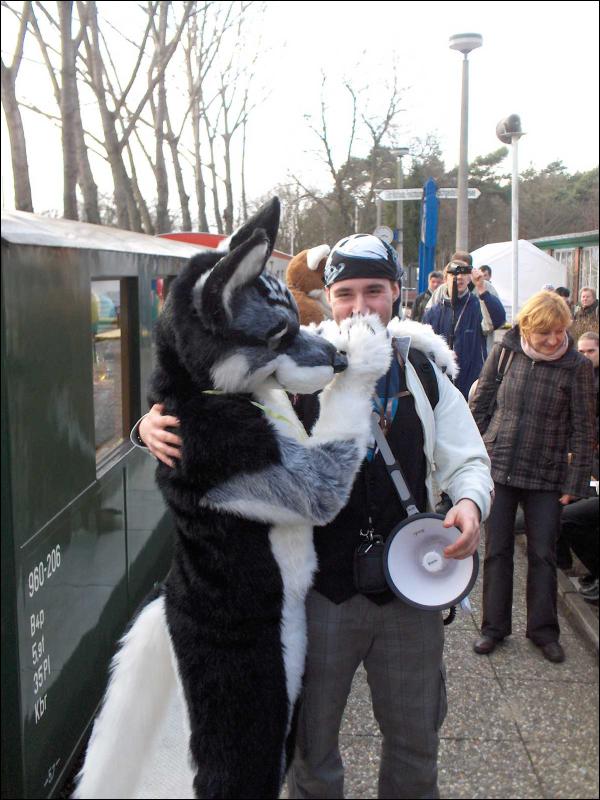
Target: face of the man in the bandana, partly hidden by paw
363, 296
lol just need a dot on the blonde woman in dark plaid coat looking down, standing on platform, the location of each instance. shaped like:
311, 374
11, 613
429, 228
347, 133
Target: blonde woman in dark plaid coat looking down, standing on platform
539, 433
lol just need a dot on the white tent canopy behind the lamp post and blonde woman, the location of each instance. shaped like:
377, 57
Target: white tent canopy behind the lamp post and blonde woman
536, 268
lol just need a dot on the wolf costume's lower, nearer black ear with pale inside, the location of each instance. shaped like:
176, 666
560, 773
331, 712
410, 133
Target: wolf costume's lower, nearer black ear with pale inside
239, 268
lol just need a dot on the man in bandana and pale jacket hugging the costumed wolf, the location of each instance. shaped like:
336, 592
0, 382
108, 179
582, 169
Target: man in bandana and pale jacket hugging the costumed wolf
431, 432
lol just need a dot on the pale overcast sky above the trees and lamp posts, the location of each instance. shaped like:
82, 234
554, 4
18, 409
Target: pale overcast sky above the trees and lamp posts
538, 60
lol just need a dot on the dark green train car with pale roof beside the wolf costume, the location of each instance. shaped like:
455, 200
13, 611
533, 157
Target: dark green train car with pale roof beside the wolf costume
85, 533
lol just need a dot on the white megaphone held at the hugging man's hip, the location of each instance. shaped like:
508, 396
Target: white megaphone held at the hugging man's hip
416, 569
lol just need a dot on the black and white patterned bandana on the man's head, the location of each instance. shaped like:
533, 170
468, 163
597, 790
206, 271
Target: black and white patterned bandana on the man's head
361, 255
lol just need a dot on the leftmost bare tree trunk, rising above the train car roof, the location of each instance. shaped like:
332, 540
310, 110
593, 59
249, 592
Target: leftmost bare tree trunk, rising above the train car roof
14, 122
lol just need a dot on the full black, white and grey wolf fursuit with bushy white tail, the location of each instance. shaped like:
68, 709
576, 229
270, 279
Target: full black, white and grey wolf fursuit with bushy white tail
228, 625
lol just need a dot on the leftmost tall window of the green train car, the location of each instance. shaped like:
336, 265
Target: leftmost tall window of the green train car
107, 348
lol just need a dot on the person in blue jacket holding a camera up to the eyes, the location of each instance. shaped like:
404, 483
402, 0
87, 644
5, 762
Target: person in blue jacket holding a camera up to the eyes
457, 316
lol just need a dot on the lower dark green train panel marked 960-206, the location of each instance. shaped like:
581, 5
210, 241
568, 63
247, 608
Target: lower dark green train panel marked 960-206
72, 605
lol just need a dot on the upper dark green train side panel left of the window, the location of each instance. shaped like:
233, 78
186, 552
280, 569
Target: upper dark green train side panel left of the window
49, 366
